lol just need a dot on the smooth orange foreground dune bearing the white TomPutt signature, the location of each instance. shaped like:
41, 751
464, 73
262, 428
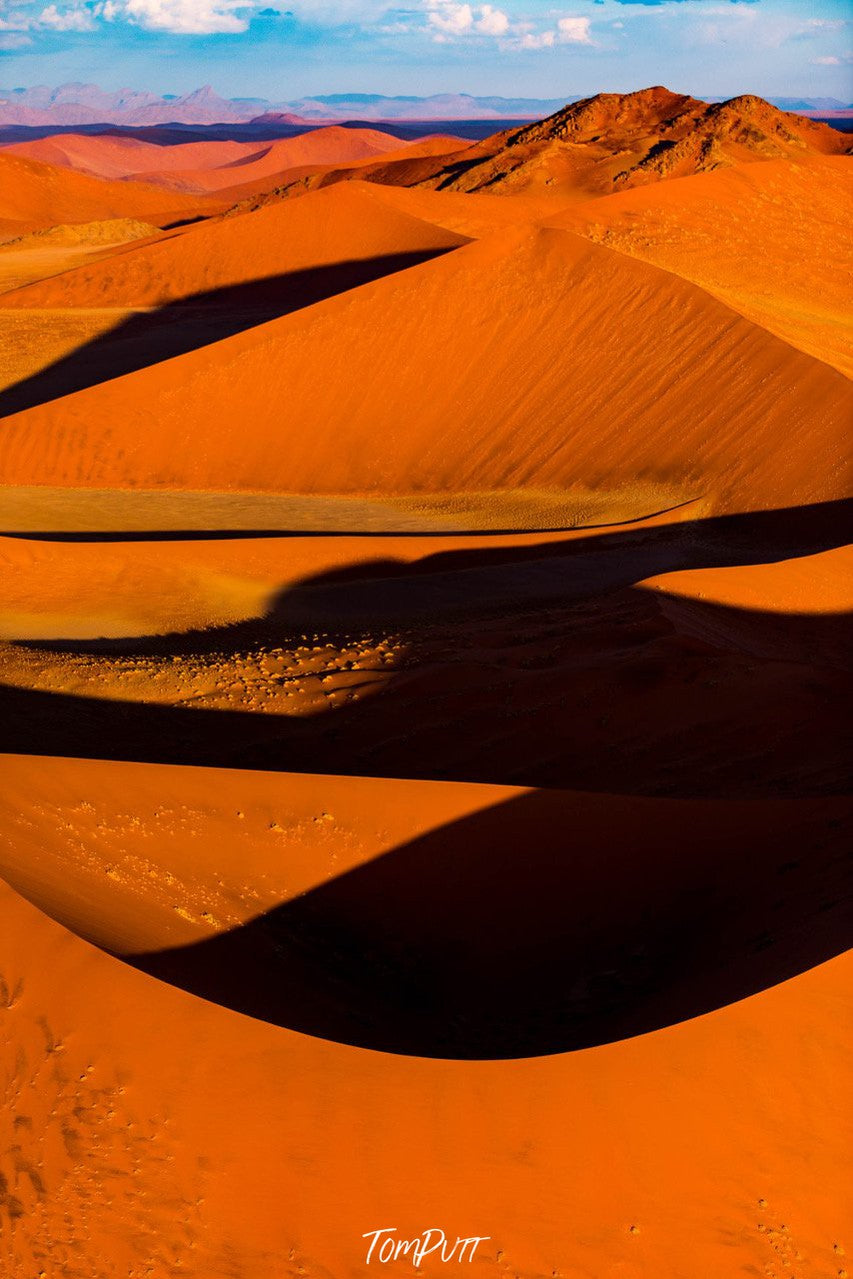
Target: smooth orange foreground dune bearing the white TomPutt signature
89, 1069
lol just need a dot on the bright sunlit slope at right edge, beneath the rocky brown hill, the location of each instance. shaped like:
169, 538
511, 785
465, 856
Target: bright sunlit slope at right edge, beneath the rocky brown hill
759, 237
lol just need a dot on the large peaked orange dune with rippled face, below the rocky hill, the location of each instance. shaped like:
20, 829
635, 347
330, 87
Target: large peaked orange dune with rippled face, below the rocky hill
528, 359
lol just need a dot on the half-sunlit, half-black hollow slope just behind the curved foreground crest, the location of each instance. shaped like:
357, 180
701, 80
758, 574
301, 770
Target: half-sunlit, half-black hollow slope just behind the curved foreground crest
535, 933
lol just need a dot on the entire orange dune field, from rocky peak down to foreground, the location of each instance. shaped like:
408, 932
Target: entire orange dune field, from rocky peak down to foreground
423, 663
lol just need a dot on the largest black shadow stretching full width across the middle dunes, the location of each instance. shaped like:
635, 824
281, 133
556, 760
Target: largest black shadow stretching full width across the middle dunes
538, 666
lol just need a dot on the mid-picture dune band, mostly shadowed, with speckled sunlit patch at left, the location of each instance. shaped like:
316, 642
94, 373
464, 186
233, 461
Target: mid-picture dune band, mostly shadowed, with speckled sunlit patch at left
661, 644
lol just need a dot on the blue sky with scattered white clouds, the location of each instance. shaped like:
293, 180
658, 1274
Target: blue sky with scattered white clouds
510, 48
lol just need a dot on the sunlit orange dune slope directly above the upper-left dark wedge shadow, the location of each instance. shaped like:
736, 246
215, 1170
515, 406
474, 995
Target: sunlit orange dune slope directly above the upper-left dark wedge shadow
333, 227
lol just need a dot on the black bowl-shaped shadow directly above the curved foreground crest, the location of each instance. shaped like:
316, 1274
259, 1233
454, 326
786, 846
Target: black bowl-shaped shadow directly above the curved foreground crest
543, 925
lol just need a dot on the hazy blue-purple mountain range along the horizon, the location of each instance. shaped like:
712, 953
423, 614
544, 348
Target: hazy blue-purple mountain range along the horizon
79, 104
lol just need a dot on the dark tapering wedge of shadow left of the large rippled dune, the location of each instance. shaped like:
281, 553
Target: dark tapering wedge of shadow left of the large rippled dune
177, 328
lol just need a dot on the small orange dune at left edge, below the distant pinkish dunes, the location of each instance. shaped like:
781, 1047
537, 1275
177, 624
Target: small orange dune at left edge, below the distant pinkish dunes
34, 196
